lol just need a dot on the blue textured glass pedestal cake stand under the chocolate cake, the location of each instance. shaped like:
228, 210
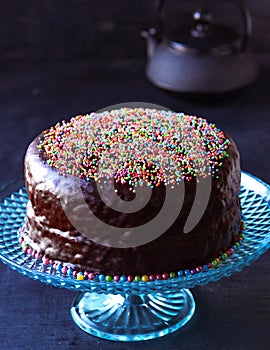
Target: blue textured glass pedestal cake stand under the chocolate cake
131, 311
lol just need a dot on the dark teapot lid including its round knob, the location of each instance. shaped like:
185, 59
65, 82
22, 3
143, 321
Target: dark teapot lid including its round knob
204, 36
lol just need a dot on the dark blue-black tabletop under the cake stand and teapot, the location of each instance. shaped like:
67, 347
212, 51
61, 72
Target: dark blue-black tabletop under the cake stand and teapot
233, 313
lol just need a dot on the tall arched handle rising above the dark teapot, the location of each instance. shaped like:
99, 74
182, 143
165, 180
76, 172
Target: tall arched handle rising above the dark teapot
247, 21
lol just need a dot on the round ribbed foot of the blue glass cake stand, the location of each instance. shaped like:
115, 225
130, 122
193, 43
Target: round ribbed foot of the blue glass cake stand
132, 317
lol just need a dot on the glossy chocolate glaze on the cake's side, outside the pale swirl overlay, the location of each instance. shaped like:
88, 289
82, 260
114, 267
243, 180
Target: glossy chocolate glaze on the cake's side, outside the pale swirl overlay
50, 232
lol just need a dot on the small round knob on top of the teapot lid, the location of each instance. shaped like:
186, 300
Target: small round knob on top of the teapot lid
202, 19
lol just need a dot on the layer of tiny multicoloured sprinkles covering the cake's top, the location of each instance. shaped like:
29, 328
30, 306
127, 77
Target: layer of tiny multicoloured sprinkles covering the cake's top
134, 146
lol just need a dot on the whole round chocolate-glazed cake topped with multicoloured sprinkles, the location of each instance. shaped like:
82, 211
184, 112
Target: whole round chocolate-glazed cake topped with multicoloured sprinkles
101, 163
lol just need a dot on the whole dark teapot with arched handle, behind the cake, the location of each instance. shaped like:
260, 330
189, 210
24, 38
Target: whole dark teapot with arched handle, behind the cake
207, 58
